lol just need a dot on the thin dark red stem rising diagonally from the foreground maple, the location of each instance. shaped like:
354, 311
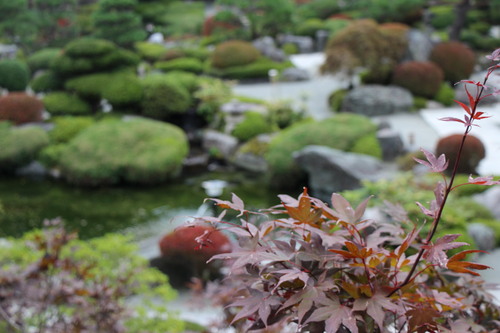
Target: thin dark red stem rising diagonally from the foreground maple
449, 188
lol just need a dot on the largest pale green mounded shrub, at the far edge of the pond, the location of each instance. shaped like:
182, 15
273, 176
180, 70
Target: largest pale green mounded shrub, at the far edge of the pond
113, 151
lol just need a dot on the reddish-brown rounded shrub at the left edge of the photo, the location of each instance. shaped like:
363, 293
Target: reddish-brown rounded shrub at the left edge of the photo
20, 108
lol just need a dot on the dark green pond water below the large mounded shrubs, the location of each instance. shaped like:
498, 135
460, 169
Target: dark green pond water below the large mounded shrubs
96, 211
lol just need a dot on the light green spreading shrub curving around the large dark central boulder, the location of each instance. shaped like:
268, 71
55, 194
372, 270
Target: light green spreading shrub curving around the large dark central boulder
339, 132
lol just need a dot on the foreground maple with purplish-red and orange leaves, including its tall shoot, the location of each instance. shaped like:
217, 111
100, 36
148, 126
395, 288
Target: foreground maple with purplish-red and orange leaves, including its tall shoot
326, 268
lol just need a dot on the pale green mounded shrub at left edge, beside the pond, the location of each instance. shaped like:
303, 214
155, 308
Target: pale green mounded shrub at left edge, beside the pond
19, 146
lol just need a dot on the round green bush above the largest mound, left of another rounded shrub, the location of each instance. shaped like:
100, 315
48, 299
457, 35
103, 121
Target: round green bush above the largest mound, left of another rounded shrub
123, 92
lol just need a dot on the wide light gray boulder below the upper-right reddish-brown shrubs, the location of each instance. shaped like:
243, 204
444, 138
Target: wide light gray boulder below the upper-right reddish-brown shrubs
377, 100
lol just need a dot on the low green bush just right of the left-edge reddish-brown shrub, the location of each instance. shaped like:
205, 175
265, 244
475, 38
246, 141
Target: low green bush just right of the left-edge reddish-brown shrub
63, 103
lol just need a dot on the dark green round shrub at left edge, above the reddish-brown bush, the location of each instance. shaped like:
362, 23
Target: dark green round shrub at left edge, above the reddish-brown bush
14, 75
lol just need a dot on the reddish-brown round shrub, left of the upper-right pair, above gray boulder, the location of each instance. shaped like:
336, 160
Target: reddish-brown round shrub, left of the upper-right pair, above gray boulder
421, 78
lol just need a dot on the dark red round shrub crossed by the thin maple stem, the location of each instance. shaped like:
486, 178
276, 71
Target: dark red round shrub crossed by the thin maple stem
472, 153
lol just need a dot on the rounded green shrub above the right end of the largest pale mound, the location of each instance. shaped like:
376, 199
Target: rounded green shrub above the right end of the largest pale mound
163, 98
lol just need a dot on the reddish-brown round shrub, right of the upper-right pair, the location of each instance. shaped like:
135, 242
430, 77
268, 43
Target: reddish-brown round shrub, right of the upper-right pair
456, 60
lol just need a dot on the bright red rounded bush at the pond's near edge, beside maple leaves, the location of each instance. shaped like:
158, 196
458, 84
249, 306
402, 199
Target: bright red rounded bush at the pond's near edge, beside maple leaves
181, 242
